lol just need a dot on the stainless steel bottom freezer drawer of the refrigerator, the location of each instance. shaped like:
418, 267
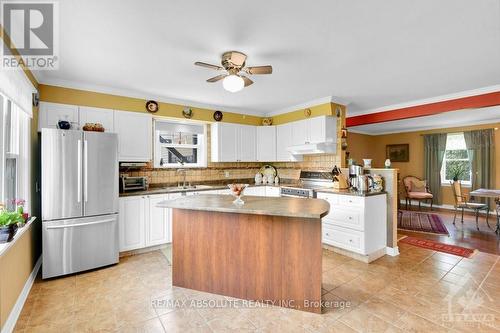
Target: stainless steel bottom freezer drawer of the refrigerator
76, 245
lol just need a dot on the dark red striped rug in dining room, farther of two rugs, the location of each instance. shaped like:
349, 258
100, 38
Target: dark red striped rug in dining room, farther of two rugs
421, 222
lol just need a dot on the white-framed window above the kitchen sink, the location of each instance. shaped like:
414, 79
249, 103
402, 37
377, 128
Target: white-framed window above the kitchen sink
179, 145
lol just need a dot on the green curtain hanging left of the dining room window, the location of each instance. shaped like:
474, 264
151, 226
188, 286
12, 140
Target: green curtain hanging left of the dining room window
434, 149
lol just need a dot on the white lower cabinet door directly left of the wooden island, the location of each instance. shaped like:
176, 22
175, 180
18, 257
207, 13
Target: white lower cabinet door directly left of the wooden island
157, 229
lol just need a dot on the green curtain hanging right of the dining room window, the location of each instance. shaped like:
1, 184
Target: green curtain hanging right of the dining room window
481, 150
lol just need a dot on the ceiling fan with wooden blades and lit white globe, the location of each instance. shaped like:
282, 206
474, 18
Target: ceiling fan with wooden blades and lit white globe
235, 77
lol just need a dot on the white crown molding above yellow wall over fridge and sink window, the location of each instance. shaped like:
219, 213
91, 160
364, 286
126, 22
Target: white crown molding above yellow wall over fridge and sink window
146, 96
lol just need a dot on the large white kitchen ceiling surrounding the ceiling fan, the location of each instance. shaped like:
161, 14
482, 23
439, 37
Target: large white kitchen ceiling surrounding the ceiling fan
370, 53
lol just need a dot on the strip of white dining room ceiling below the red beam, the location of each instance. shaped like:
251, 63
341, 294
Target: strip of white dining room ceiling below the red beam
451, 119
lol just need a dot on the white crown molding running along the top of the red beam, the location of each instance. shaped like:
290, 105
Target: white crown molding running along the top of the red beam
441, 98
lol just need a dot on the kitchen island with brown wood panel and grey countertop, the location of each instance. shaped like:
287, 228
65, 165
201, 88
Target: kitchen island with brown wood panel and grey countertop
267, 250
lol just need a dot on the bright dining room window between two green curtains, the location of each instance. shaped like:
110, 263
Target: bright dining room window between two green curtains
456, 159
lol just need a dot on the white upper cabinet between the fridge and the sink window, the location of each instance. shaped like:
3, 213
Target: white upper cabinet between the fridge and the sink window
134, 136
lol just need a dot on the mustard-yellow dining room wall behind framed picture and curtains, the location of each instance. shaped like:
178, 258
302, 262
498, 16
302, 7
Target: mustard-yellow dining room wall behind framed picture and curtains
373, 146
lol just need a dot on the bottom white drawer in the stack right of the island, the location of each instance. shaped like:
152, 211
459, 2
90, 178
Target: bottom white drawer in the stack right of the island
344, 238
